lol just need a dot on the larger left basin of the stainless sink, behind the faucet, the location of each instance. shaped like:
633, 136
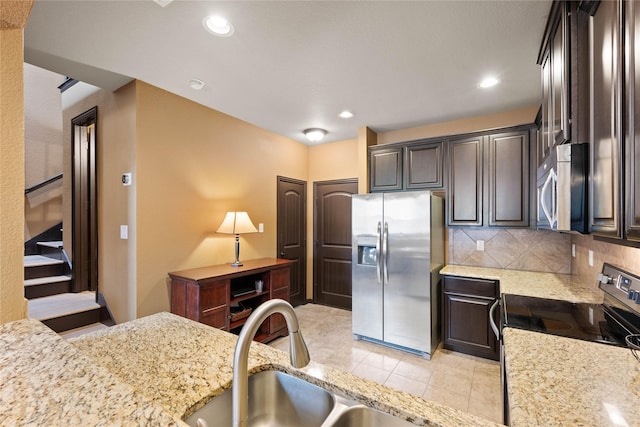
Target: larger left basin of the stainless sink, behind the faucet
275, 399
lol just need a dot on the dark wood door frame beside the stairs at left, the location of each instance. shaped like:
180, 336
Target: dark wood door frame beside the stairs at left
84, 200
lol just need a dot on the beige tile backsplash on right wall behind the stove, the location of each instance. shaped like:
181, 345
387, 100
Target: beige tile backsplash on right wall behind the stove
621, 256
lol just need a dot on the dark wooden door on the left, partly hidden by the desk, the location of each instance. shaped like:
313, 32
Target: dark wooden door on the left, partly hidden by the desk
292, 233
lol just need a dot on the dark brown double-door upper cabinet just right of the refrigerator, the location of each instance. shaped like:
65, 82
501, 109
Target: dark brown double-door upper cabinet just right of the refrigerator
490, 170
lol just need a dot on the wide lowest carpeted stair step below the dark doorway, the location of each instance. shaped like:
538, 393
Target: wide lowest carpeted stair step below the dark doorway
62, 305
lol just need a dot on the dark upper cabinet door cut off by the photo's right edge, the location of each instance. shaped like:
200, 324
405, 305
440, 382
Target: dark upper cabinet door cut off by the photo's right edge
632, 103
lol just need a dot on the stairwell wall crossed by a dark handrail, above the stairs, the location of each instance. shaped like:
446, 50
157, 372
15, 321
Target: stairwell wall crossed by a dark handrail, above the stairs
43, 148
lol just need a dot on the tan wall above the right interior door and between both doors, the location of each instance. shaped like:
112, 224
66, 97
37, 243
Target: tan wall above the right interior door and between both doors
336, 160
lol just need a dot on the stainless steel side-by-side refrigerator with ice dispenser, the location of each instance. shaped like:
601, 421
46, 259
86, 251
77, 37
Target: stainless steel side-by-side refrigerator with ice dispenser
397, 255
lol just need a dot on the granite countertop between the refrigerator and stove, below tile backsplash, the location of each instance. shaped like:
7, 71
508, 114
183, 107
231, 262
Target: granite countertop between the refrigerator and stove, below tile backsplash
542, 285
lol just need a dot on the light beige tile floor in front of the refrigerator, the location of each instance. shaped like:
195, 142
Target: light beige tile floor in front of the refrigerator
457, 380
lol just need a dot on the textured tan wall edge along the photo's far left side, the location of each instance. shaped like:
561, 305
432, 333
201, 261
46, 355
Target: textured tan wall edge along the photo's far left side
13, 17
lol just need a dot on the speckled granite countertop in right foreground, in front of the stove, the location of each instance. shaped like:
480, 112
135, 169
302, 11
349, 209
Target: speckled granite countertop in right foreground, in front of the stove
556, 381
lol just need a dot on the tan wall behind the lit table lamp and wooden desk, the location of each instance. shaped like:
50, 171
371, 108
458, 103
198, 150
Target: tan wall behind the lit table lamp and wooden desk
193, 164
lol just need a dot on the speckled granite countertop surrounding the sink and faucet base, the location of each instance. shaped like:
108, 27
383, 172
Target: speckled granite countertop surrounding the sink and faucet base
180, 365
